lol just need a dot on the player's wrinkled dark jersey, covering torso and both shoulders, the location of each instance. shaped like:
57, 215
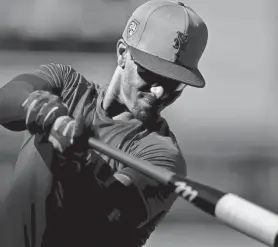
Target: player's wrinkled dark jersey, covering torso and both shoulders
59, 207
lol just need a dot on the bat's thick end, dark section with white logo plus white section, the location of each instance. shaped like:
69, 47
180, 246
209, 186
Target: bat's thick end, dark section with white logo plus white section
232, 210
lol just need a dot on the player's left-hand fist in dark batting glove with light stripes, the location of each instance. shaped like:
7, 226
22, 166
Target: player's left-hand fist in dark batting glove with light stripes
41, 109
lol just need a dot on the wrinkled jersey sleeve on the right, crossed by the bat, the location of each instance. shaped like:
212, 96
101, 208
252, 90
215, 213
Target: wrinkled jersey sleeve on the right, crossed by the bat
162, 152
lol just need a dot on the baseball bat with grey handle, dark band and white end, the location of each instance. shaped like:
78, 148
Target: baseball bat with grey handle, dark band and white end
230, 209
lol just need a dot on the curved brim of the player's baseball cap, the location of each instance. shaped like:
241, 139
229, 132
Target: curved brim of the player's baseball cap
162, 67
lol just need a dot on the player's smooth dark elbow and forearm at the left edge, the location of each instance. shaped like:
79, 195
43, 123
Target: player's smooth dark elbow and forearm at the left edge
13, 94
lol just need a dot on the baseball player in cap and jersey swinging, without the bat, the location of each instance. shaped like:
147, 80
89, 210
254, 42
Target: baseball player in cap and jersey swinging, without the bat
65, 194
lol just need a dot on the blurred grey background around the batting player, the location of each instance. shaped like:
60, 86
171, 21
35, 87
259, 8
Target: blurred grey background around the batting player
227, 131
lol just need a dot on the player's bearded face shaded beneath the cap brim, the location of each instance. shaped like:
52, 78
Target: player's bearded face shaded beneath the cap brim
145, 93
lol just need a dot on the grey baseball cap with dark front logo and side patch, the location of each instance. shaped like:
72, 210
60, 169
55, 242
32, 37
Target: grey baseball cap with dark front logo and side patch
167, 38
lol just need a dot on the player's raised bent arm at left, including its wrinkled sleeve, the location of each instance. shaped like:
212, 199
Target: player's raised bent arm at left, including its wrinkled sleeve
52, 82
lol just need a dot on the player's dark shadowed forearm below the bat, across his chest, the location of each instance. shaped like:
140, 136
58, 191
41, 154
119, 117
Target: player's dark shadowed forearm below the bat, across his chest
118, 204
